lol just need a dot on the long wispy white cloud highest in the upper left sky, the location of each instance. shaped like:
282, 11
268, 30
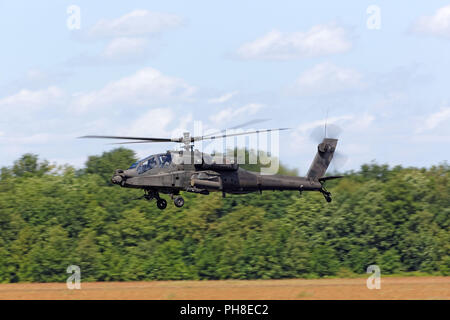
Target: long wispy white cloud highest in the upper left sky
135, 23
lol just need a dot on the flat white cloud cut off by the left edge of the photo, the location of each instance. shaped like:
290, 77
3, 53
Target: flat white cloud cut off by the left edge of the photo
32, 99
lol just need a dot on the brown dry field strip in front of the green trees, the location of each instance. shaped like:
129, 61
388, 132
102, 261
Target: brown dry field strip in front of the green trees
391, 288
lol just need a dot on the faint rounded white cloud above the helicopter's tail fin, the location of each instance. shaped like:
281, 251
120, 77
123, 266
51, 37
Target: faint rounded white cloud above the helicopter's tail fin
326, 78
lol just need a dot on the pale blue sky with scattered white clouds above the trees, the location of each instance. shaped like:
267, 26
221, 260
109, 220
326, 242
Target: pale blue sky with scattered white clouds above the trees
378, 70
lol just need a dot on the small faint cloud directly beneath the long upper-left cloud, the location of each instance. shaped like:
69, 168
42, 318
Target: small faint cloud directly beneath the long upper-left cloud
125, 48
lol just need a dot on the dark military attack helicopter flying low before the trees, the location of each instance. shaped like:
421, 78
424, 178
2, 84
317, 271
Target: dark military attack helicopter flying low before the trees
193, 171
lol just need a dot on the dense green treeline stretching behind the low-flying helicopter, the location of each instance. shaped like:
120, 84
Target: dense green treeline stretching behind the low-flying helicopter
52, 217
